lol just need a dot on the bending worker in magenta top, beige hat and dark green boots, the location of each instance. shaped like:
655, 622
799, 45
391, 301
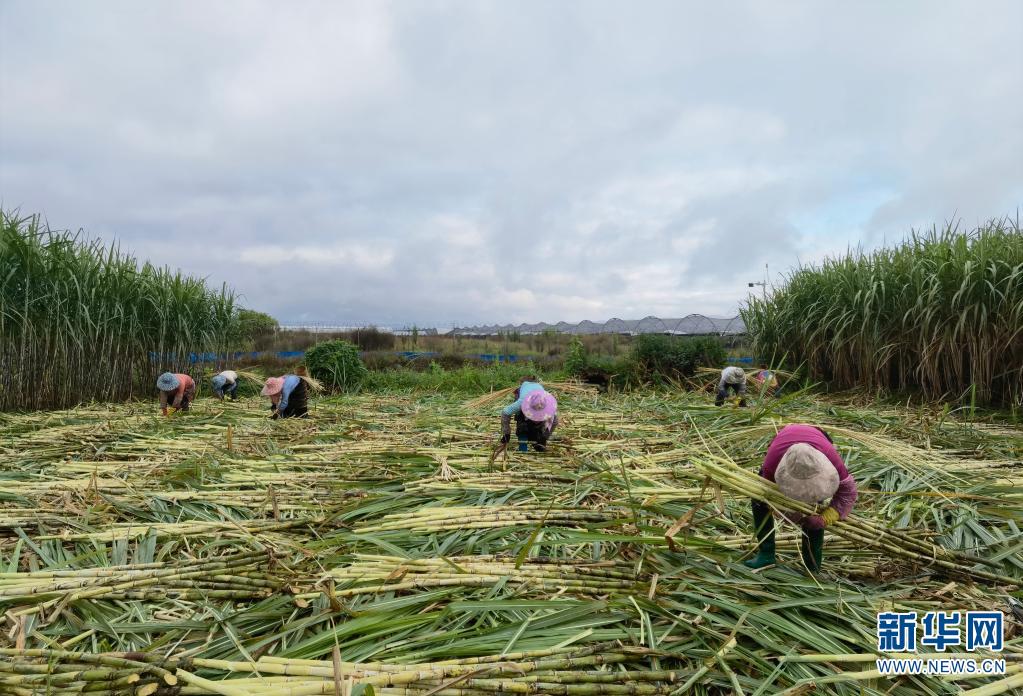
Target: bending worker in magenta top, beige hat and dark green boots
806, 465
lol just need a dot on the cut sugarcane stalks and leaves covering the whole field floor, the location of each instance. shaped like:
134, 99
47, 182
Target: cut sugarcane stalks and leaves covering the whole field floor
379, 548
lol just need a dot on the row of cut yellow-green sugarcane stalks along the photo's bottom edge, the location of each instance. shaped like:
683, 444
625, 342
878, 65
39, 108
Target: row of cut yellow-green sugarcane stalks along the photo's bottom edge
564, 671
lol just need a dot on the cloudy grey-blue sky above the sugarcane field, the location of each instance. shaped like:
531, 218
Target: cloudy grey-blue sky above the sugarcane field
458, 163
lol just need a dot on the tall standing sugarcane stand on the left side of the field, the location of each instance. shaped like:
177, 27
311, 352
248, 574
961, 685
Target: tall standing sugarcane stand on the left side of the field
82, 322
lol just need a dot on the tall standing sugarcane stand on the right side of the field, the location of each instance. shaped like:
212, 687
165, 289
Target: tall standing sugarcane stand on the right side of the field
942, 315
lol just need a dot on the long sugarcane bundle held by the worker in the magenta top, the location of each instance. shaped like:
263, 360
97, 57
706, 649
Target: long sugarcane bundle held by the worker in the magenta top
856, 529
